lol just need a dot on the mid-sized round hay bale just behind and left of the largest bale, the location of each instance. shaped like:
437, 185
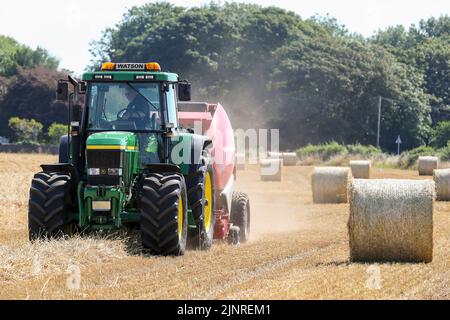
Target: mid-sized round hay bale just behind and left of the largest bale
329, 184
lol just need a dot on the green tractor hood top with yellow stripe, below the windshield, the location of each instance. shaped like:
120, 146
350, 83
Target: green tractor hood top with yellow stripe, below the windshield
112, 140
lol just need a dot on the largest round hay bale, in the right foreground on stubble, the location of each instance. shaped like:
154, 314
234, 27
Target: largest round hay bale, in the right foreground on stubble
391, 220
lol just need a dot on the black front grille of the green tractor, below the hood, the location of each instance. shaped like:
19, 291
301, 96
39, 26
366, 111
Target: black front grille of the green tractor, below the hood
104, 159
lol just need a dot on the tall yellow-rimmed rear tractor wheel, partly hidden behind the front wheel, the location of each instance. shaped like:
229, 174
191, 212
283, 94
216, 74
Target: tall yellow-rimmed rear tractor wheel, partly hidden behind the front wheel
201, 202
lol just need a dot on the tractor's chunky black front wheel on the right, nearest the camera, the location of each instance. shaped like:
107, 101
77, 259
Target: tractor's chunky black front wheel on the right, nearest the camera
164, 215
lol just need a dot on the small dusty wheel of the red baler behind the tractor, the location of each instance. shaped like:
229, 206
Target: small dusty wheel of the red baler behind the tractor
240, 215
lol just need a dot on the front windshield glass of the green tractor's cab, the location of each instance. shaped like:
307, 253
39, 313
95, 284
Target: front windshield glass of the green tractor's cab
124, 106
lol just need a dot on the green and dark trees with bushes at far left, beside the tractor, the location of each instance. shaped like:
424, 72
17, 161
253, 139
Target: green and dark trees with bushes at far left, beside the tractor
27, 94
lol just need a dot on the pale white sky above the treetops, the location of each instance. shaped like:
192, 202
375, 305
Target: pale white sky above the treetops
66, 28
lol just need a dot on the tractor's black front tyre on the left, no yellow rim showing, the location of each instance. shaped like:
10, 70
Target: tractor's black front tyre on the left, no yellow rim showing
48, 205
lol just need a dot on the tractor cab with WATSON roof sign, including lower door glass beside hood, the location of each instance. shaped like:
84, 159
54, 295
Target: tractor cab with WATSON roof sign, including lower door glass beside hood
136, 98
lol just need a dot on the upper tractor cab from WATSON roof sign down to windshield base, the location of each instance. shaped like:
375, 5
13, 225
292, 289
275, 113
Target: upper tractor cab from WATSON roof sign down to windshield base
132, 97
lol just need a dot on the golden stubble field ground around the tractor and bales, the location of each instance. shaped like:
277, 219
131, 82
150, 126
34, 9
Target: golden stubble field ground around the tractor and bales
298, 251
